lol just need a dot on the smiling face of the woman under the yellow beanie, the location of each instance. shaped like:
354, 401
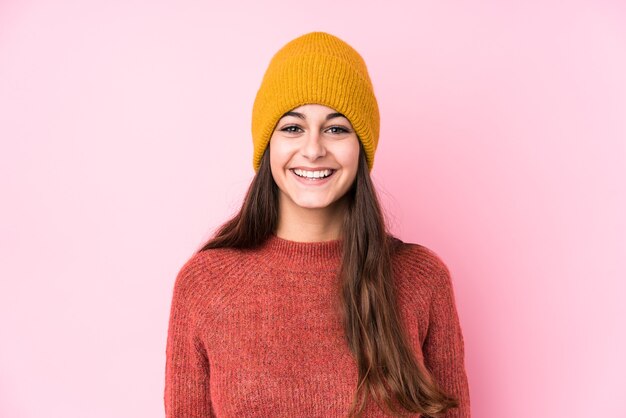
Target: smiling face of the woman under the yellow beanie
314, 154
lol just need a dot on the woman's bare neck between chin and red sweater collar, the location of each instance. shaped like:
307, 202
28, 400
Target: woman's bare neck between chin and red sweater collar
297, 223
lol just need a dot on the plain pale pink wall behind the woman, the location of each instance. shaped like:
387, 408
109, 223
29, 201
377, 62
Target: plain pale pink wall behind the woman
125, 131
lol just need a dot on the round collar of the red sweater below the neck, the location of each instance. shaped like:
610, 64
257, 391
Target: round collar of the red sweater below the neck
285, 254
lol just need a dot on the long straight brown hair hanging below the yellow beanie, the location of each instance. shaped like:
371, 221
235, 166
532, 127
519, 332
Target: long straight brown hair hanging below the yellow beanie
387, 368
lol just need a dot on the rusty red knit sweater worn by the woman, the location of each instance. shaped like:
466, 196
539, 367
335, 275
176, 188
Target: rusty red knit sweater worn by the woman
256, 333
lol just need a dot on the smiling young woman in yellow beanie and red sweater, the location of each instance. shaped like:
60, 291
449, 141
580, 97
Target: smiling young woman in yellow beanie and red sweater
303, 305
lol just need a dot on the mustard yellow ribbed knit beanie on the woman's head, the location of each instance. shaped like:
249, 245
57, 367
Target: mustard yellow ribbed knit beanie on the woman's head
320, 68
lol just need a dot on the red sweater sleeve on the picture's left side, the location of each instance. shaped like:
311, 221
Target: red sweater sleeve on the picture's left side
187, 366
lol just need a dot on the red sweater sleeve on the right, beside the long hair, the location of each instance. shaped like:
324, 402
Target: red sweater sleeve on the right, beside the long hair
443, 346
